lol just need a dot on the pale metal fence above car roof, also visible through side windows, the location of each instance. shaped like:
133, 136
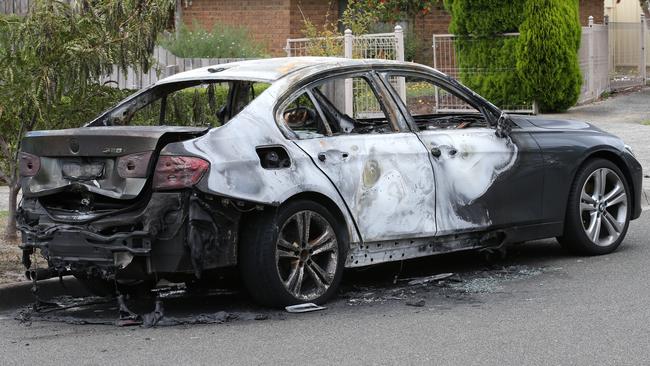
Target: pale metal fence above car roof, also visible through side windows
385, 46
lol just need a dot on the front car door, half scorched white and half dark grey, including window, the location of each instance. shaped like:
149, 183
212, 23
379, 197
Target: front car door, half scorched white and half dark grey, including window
483, 181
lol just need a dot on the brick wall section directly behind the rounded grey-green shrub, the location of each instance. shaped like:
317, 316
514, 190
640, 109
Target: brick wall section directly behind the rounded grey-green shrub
267, 20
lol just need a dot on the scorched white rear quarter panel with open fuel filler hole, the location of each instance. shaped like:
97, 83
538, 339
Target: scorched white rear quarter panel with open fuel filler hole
235, 168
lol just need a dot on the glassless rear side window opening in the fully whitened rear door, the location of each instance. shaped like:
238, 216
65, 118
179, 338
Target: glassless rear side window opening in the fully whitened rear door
337, 106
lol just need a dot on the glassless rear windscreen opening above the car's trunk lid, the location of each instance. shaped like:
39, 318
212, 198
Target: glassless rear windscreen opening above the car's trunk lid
199, 103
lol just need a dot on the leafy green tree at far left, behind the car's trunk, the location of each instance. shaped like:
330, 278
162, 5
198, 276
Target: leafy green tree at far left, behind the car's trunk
51, 60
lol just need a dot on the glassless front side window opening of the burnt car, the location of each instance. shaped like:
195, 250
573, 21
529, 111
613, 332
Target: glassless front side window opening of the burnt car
433, 106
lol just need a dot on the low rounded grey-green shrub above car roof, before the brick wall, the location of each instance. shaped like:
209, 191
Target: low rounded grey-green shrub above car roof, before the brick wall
222, 41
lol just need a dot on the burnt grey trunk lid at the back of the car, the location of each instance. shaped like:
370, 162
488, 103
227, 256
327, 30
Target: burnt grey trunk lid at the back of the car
95, 169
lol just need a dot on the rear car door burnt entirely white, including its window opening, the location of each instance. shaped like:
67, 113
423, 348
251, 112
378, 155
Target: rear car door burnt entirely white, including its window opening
367, 151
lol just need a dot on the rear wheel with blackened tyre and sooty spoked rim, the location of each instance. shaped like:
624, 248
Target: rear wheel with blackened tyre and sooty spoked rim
281, 266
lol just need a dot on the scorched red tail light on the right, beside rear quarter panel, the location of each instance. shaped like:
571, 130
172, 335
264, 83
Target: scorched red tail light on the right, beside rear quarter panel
174, 172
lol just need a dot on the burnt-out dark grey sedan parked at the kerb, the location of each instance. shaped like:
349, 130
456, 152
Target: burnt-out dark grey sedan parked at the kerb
291, 169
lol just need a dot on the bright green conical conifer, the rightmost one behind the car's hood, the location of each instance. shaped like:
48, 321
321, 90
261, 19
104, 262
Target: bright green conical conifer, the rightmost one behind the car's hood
547, 53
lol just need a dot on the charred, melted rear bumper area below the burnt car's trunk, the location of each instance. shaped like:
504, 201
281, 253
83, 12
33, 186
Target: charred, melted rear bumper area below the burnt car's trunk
175, 235
